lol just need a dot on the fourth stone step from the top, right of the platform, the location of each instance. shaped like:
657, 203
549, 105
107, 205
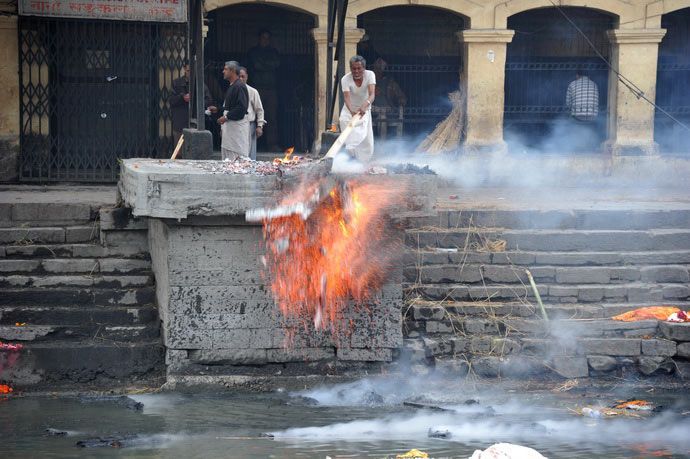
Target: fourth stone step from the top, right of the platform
472, 273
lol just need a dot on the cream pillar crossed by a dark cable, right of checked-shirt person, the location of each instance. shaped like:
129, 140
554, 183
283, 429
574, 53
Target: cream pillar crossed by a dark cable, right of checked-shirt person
630, 122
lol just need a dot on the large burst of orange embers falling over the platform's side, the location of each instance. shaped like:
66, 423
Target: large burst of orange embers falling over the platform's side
339, 253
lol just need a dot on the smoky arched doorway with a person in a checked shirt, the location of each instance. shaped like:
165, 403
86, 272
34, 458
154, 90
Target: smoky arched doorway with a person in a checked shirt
542, 60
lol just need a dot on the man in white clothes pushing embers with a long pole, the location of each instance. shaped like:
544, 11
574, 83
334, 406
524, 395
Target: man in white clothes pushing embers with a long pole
359, 91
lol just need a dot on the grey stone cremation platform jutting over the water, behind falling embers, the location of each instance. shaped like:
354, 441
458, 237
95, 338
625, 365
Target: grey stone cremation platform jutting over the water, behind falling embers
219, 320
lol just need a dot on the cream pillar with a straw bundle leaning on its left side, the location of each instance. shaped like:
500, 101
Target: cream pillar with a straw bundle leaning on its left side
484, 78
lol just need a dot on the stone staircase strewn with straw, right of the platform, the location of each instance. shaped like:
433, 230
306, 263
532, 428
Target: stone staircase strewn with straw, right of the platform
470, 306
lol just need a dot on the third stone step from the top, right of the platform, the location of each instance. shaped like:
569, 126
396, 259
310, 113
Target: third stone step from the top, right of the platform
439, 256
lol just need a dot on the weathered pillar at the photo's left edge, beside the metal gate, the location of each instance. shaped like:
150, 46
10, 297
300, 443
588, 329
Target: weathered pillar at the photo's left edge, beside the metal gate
9, 94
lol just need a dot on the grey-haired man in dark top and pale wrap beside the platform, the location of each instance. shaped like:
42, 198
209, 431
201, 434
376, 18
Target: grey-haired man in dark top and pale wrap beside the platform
234, 125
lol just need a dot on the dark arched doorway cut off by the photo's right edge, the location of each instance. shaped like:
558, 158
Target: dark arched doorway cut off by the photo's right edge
673, 83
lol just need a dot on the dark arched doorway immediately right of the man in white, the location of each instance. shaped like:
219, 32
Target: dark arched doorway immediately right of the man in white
423, 56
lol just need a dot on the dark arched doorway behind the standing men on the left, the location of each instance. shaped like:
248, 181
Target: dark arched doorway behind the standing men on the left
233, 31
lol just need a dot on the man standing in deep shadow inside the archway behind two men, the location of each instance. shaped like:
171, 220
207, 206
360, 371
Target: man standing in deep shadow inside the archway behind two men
264, 61
